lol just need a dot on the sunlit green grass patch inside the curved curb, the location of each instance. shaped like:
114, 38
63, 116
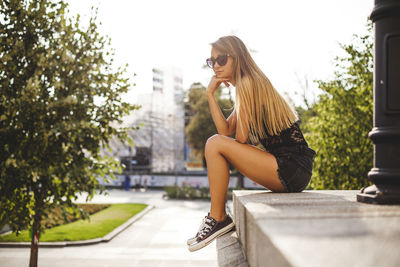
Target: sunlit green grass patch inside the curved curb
100, 224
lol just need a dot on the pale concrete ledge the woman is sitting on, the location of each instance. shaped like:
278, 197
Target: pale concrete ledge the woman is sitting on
316, 228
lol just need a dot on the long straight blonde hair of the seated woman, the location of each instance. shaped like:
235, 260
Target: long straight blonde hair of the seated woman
261, 108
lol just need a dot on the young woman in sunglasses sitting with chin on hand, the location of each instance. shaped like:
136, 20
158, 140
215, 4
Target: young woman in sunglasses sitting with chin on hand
268, 148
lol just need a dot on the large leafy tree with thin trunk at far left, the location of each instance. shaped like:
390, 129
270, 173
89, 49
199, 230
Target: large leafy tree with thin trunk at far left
60, 102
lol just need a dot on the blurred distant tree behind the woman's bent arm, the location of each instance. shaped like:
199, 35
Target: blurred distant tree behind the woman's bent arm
201, 125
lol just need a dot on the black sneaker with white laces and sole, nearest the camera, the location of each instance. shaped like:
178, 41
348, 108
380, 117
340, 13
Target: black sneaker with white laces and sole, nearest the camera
211, 230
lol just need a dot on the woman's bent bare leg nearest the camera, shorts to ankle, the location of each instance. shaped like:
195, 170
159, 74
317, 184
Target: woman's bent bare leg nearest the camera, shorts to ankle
260, 166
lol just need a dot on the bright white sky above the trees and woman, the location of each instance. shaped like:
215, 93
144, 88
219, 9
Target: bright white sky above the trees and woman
292, 41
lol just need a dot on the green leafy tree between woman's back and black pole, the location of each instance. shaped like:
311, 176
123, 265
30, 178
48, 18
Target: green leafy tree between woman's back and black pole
342, 119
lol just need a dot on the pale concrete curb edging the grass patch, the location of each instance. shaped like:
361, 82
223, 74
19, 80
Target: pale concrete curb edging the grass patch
105, 238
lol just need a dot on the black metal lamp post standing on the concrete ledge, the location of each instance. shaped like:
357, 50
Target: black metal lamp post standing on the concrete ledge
385, 135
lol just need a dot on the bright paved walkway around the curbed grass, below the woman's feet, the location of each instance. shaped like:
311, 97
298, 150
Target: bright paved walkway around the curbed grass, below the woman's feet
157, 239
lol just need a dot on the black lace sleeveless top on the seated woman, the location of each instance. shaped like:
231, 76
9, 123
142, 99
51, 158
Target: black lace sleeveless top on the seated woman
289, 137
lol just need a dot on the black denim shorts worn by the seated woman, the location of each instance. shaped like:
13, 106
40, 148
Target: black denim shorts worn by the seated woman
294, 166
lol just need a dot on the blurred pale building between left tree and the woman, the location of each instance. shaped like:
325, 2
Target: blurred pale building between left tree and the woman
159, 143
